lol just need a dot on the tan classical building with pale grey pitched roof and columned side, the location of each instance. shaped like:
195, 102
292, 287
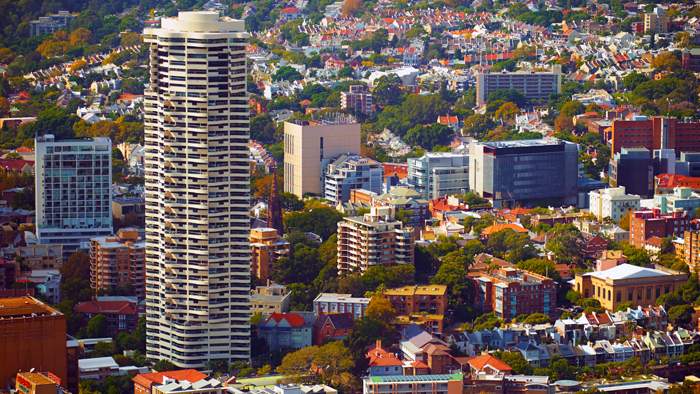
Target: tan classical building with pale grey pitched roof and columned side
628, 283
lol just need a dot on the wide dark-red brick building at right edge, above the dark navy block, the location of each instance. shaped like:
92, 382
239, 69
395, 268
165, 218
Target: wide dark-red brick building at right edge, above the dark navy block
647, 133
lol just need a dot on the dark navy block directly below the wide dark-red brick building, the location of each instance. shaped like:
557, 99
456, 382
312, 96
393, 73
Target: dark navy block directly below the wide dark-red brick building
633, 168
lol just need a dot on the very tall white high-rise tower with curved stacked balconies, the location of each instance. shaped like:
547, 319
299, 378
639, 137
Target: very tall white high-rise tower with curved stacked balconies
197, 191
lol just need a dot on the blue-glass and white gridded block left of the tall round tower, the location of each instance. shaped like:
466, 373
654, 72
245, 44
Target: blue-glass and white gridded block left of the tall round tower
73, 197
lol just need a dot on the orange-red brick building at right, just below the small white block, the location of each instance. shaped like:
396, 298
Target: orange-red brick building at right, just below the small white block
650, 223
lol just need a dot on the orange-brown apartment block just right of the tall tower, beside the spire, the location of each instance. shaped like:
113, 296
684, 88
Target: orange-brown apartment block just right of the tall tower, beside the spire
266, 247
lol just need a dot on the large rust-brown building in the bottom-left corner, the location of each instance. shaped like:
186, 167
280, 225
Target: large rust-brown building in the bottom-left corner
33, 336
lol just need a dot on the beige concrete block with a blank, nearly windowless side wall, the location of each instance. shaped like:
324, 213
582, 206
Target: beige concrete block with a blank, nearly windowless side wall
310, 146
